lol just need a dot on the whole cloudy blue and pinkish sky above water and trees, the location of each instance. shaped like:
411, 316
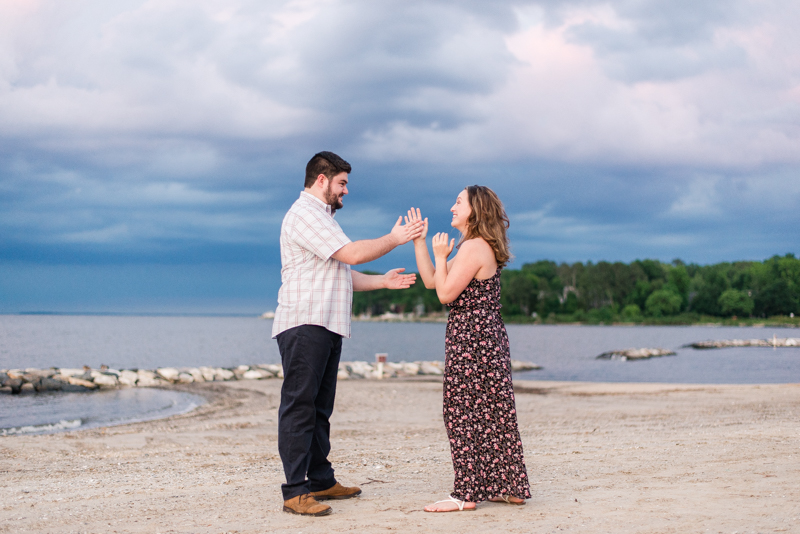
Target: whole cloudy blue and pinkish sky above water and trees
149, 149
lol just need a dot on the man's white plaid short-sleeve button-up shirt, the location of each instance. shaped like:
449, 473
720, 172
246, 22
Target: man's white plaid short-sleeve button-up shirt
315, 288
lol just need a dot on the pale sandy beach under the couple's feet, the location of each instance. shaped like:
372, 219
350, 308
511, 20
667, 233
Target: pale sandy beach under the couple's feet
601, 458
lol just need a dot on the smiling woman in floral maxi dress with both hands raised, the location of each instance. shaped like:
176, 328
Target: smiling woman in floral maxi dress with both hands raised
479, 413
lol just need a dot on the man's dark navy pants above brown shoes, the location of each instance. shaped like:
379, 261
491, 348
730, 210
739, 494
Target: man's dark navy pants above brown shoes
310, 356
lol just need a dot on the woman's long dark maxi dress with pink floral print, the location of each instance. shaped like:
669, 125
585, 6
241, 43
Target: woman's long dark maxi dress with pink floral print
479, 411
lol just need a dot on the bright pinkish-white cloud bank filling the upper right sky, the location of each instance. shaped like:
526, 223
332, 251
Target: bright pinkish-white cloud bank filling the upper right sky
564, 99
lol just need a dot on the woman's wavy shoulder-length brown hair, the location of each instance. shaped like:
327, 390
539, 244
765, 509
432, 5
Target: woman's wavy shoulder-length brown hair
488, 220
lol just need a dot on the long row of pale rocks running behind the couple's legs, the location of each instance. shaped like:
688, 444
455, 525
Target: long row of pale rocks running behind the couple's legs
87, 379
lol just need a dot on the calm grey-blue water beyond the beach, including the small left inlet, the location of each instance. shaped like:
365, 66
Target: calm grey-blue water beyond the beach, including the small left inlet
565, 352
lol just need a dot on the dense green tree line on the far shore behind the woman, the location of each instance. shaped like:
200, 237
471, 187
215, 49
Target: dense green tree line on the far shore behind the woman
640, 291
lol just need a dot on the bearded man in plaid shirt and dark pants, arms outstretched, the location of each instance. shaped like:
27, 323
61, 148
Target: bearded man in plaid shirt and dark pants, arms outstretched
313, 315
